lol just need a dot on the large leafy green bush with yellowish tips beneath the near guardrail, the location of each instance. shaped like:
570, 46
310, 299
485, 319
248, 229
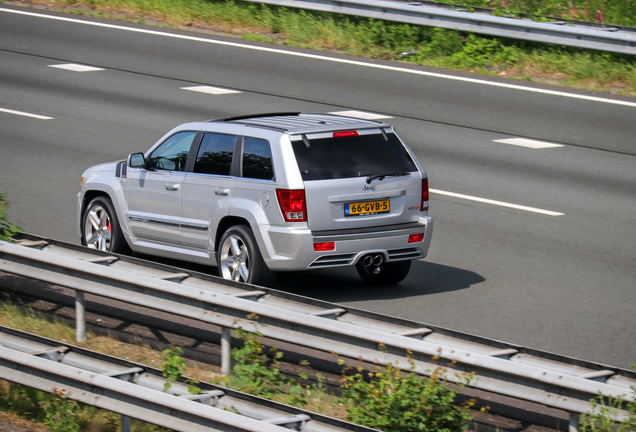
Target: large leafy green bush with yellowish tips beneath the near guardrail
394, 400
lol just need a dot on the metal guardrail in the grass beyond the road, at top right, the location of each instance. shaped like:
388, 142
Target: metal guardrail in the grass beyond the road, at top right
611, 38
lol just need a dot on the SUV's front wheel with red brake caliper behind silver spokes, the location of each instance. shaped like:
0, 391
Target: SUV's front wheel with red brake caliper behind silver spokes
100, 227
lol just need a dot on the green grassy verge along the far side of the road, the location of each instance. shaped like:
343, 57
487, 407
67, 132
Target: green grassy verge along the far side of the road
433, 47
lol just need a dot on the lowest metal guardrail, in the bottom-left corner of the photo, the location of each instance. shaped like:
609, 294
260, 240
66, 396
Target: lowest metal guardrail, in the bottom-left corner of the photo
136, 391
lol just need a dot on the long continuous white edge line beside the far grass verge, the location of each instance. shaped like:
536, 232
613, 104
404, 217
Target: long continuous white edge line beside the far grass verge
331, 59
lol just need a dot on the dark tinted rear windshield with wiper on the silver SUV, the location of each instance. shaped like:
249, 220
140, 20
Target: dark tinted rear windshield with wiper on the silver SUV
353, 156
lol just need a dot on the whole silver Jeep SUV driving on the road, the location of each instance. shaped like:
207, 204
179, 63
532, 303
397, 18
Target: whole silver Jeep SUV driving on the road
259, 194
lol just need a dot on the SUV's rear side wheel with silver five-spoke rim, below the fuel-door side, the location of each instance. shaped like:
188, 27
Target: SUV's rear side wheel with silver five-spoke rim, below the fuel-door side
239, 258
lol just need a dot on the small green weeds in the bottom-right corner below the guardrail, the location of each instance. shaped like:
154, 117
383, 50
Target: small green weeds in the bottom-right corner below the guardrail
602, 417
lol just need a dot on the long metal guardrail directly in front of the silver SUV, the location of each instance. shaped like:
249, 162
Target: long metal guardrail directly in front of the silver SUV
500, 368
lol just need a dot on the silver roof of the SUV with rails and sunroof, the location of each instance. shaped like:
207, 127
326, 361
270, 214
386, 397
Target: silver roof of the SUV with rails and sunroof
304, 122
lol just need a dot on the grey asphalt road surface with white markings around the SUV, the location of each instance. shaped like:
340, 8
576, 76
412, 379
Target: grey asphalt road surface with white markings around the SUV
533, 187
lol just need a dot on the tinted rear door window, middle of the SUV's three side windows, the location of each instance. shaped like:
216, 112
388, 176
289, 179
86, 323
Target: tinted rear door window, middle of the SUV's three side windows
215, 154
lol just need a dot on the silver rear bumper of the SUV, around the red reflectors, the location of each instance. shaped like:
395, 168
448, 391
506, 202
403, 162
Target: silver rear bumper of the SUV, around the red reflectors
292, 250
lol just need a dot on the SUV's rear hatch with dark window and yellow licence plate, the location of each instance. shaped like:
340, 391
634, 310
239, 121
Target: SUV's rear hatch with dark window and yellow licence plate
358, 179
